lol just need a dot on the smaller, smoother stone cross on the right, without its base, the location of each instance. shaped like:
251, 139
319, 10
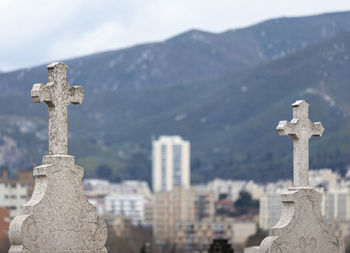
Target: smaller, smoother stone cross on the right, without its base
300, 129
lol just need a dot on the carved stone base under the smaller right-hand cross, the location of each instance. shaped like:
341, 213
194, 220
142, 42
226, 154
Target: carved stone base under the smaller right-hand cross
302, 228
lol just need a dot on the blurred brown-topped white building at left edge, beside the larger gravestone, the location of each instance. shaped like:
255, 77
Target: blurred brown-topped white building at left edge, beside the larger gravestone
15, 192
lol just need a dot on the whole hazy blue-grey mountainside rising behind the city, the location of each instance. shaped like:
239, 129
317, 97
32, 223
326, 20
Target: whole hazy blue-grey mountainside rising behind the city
224, 92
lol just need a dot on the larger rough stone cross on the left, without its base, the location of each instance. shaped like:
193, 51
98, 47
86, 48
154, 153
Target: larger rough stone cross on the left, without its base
58, 95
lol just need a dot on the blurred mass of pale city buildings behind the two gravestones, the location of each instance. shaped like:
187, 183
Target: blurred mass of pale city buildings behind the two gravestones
184, 217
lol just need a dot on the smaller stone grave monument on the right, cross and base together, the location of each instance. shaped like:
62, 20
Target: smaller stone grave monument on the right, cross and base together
302, 228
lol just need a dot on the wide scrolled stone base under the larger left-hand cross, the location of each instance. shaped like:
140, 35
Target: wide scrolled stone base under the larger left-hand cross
58, 218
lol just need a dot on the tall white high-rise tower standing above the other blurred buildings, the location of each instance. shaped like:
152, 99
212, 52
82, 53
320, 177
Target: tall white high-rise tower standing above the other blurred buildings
171, 163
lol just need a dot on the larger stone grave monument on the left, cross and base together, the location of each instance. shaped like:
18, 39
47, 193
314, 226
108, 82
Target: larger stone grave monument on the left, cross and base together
58, 218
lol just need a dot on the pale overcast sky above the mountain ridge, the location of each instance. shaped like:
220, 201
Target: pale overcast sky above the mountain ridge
39, 31
